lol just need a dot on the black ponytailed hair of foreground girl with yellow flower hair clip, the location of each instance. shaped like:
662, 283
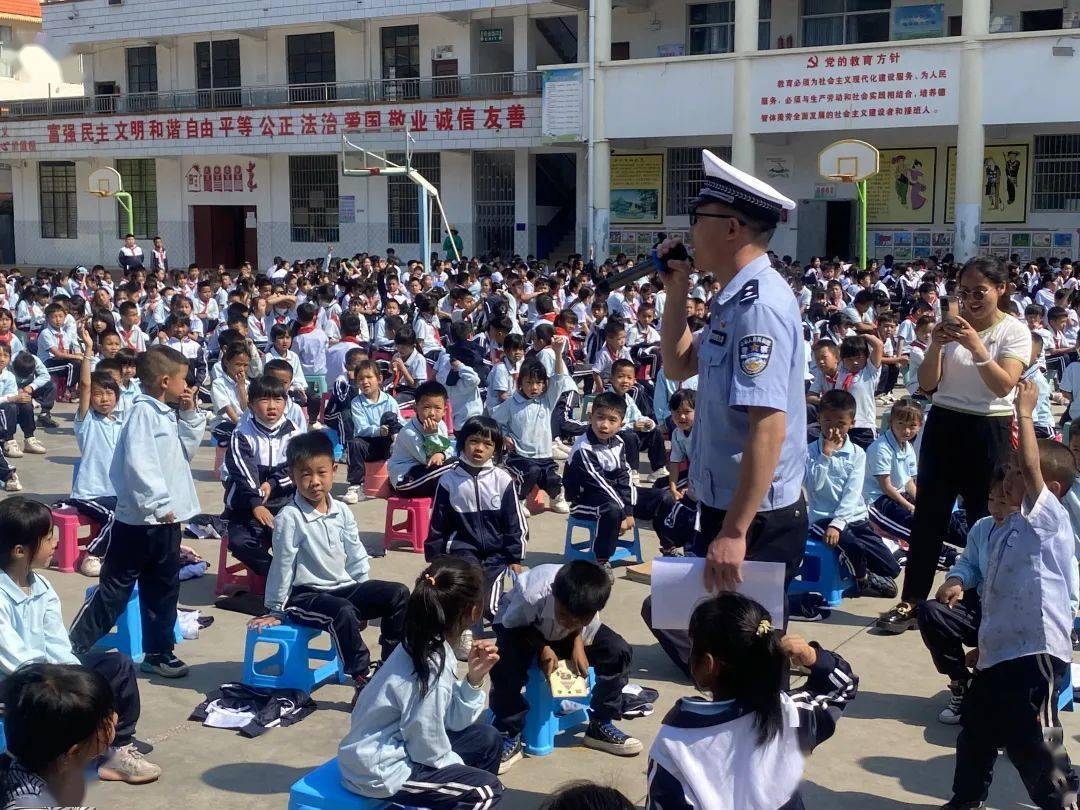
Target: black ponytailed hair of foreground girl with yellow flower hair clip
738, 633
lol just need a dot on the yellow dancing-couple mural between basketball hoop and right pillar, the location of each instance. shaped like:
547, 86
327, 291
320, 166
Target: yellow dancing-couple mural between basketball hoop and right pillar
902, 193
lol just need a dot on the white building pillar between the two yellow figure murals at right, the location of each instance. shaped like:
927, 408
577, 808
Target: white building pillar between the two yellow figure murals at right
970, 136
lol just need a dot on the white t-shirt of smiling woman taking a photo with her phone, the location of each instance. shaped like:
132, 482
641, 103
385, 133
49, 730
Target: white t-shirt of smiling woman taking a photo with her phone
962, 387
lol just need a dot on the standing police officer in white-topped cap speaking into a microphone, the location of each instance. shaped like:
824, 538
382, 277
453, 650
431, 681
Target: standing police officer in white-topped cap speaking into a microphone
749, 444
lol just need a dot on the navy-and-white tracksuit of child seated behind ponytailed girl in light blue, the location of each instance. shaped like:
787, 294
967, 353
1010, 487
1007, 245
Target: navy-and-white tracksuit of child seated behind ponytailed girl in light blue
477, 516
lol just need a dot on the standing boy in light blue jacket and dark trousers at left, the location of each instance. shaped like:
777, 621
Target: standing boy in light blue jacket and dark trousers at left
152, 476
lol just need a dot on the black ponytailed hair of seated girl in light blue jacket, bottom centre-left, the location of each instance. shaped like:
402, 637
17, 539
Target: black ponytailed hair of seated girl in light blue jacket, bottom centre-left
441, 605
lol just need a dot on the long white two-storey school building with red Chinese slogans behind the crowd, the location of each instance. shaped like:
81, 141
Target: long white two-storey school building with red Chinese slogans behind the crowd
548, 128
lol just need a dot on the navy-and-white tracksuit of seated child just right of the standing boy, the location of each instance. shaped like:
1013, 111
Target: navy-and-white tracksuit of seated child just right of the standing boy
255, 456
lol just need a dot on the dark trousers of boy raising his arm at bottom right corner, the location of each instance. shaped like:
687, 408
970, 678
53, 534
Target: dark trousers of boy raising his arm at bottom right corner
1014, 706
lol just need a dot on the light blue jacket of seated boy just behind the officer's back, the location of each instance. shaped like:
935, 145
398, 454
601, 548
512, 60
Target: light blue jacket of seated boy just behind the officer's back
835, 485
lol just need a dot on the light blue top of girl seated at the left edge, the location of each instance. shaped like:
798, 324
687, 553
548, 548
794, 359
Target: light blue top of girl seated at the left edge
32, 626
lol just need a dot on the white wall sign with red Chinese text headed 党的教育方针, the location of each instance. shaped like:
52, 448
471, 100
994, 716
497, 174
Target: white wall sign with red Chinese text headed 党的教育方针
895, 86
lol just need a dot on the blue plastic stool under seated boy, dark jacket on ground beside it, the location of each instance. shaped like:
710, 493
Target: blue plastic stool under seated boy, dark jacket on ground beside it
292, 659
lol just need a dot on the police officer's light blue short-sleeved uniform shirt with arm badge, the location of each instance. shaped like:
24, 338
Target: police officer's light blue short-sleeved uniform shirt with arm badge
751, 355
